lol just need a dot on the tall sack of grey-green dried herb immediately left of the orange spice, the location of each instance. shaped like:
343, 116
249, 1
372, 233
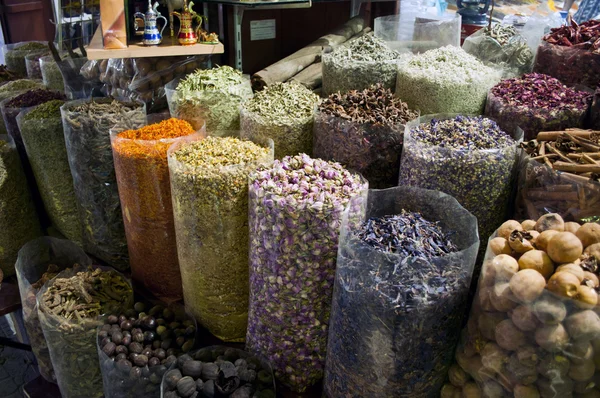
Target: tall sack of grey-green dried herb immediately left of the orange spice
86, 125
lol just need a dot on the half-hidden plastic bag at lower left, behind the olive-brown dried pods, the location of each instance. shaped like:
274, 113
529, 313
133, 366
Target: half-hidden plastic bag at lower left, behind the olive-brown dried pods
39, 261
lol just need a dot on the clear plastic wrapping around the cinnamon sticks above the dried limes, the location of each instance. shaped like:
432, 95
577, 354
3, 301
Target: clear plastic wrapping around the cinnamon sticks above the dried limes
542, 190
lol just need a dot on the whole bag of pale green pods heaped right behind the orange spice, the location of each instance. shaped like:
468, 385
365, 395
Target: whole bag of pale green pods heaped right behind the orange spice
211, 96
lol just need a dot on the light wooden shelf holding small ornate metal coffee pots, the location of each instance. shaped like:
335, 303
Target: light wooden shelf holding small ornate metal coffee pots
168, 48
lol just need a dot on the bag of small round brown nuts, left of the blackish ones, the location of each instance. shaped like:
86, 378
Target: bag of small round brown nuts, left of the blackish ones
136, 348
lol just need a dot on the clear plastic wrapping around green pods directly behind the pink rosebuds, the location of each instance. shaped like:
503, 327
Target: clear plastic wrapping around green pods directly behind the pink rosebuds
289, 140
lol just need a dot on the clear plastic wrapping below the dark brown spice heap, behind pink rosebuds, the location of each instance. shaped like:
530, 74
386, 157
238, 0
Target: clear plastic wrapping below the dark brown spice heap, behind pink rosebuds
372, 150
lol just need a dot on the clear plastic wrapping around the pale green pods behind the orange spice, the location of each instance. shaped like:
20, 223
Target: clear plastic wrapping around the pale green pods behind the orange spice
220, 110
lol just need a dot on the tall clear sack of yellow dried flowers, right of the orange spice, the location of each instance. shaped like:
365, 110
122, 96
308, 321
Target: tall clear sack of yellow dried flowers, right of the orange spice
209, 182
